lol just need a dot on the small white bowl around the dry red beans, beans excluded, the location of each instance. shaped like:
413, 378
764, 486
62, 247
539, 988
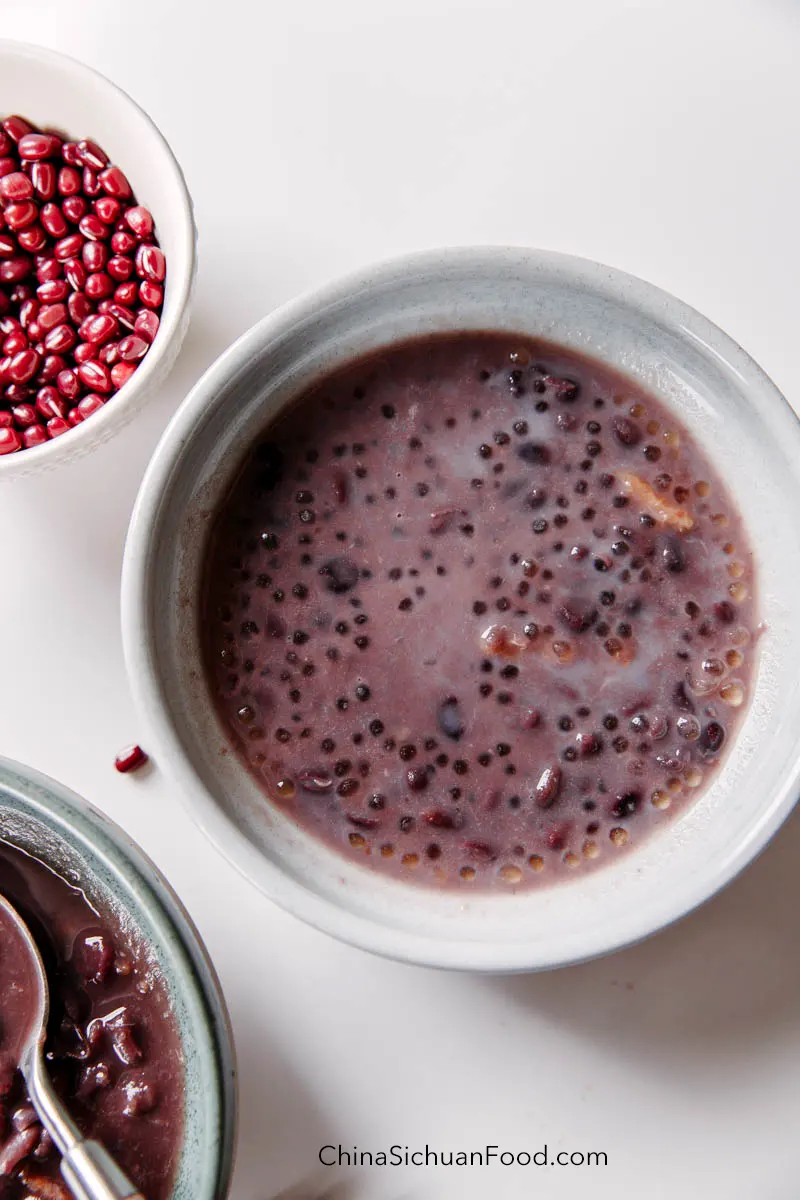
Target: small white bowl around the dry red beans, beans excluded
56, 92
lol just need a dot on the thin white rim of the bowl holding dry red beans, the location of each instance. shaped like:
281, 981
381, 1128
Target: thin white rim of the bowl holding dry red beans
142, 386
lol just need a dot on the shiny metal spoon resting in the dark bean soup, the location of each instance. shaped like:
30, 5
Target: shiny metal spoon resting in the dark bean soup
89, 1171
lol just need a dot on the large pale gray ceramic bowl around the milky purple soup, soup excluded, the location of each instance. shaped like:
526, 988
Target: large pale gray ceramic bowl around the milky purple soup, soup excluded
726, 400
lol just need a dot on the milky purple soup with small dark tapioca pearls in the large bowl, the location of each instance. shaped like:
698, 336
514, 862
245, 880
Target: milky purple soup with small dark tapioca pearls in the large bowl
479, 611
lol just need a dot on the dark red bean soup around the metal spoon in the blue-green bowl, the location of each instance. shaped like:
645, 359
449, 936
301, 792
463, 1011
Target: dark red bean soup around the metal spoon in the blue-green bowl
113, 1047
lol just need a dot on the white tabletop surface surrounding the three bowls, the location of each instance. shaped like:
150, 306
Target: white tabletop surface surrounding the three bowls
660, 137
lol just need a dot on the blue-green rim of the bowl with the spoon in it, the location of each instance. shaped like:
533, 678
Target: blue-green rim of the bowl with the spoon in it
82, 825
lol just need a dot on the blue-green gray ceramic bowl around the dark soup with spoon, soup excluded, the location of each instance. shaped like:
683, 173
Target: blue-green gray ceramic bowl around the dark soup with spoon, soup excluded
47, 820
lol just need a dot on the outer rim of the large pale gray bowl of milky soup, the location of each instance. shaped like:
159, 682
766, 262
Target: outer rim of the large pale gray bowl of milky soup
137, 586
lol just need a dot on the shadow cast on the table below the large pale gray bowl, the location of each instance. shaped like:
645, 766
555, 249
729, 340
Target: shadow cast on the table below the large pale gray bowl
713, 988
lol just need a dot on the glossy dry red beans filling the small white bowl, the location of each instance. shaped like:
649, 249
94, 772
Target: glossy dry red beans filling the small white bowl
82, 281
